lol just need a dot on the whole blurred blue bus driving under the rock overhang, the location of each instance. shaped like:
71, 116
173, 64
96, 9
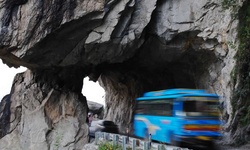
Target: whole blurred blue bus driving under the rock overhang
176, 116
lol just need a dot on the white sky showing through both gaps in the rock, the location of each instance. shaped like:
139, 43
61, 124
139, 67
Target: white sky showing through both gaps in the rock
92, 90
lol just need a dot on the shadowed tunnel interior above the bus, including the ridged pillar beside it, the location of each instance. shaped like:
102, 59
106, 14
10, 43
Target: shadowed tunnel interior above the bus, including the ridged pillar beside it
183, 62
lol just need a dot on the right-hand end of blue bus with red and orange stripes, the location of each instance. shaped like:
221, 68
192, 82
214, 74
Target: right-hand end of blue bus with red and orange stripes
199, 119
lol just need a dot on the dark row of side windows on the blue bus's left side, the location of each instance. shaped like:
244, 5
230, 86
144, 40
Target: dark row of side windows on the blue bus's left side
154, 108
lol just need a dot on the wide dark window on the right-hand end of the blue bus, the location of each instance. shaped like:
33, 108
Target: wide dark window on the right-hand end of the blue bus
206, 108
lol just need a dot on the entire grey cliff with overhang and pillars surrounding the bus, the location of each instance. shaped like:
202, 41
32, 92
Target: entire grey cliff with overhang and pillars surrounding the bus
129, 46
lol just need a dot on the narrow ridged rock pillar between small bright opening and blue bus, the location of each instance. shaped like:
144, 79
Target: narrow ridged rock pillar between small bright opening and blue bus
121, 91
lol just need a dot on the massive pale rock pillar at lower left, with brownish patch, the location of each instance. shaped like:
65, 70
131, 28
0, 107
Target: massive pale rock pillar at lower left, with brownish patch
43, 117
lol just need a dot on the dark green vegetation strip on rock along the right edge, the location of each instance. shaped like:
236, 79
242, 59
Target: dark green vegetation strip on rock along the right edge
241, 73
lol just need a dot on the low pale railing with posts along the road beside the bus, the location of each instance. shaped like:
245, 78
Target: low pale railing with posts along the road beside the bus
132, 143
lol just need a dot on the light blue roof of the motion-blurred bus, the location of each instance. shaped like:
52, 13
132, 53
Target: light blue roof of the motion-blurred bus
175, 93
